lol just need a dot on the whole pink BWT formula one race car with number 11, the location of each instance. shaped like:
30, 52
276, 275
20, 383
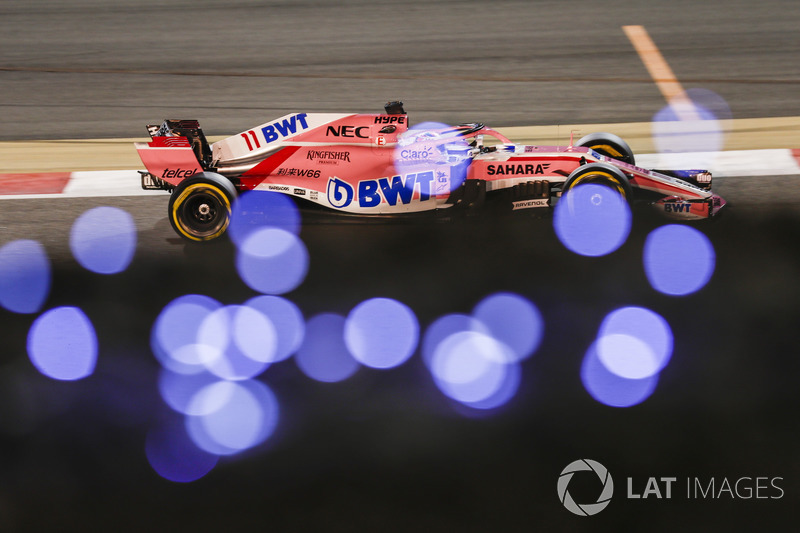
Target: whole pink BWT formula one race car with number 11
377, 164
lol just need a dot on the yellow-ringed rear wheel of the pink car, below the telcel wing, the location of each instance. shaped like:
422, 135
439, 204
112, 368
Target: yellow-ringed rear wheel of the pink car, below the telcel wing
200, 206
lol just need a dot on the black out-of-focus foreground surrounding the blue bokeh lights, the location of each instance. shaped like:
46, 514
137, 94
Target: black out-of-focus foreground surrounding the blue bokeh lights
386, 447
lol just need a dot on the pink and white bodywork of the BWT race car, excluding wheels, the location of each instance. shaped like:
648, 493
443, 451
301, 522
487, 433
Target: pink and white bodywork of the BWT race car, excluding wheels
365, 163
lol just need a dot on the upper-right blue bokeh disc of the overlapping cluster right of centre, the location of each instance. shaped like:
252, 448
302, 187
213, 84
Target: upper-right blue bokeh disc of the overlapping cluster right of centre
513, 320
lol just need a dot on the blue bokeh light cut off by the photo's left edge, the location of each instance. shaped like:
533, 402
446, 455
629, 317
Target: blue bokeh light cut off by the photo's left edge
25, 276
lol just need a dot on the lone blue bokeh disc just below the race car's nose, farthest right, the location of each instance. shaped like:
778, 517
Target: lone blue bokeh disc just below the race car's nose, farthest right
678, 260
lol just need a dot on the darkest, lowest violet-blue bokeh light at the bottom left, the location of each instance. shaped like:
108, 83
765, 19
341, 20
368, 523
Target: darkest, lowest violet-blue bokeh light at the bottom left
174, 456
